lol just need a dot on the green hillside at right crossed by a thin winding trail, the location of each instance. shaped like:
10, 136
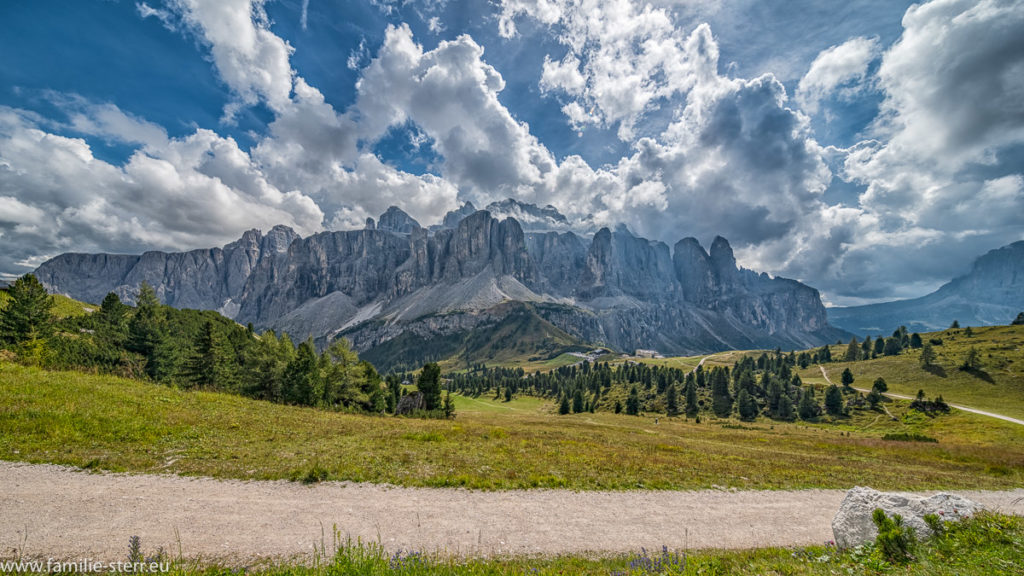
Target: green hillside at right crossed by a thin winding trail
999, 387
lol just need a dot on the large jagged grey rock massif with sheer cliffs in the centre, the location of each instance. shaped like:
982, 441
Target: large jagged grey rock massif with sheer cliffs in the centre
396, 278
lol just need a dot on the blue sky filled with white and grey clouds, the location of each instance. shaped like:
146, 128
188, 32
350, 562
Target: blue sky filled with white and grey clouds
872, 149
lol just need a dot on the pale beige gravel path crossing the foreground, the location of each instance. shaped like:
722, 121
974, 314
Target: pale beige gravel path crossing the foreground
49, 511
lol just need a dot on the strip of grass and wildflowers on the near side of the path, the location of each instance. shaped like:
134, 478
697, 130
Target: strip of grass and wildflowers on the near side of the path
988, 545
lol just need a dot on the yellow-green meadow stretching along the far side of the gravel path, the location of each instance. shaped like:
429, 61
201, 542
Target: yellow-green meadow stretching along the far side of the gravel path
112, 424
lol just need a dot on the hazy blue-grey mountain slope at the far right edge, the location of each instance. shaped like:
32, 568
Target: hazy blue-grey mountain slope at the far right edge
992, 294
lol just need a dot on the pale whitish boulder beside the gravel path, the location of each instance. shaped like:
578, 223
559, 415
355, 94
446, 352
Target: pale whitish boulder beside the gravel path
852, 525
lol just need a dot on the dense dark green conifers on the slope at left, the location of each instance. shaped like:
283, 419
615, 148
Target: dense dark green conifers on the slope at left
200, 350
